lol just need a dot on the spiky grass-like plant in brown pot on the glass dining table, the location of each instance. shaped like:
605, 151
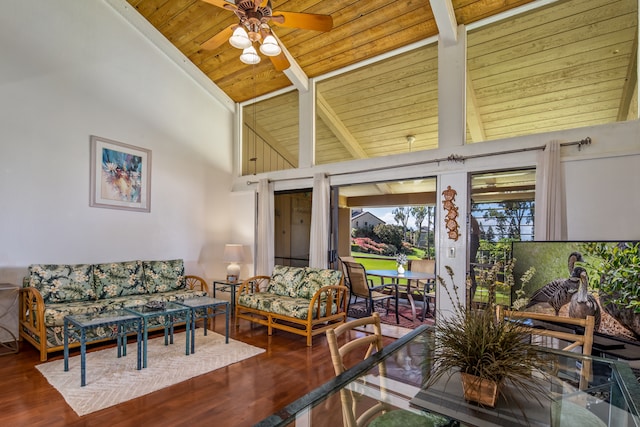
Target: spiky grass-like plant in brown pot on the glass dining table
485, 350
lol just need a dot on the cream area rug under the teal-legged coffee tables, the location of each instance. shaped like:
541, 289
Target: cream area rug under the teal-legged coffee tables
111, 380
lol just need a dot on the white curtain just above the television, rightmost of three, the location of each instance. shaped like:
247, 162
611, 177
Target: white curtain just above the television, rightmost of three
549, 224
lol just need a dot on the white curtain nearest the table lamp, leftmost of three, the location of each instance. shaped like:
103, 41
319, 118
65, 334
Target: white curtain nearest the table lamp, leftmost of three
264, 258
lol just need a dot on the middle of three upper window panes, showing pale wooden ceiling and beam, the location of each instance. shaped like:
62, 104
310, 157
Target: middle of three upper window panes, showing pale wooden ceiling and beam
369, 112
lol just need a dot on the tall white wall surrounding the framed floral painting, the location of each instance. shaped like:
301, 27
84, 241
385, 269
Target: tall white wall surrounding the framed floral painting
71, 69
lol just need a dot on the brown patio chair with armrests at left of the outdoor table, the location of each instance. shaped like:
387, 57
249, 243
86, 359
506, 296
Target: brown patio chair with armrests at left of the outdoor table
362, 287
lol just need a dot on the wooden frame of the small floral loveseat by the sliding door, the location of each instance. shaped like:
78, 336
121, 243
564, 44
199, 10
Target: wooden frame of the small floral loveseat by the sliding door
310, 327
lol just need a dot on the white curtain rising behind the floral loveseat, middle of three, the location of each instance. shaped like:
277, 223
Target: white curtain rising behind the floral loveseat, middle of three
319, 239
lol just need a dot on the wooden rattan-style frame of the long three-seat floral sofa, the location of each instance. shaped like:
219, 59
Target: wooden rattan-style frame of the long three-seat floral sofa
31, 308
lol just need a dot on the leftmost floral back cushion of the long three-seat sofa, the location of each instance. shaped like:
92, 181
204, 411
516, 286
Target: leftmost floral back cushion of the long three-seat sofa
63, 283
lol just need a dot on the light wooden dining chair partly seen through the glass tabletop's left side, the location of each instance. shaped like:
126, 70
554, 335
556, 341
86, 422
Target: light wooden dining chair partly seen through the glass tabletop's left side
355, 344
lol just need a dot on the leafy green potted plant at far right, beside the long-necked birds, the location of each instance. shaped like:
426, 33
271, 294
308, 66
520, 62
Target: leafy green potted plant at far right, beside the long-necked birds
614, 270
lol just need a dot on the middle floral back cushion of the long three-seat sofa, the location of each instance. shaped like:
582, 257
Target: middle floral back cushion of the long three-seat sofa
119, 279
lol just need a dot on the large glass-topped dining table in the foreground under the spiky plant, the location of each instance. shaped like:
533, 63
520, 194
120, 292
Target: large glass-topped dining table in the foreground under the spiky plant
610, 396
